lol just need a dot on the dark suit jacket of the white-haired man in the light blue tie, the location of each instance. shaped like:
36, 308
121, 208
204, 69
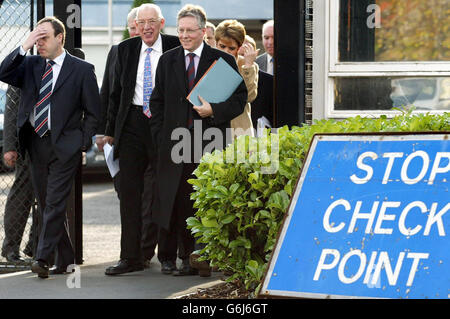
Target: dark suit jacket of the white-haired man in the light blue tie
125, 73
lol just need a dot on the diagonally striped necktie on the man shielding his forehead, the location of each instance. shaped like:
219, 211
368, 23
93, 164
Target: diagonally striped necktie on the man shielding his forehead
42, 107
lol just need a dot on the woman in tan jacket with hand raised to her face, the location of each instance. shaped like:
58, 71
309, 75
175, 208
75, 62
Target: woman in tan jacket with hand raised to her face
230, 37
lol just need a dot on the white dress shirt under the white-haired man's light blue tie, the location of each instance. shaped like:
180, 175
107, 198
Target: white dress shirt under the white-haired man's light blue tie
156, 53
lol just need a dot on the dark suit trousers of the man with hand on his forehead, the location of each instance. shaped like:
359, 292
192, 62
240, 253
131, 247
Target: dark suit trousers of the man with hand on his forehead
53, 180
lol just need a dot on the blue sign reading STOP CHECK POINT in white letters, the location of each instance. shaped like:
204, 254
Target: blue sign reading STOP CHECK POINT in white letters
369, 218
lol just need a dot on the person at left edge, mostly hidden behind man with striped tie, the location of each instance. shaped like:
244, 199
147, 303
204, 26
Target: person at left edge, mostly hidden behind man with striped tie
20, 197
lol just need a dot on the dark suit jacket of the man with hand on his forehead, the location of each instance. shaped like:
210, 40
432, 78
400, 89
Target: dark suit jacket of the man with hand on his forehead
74, 102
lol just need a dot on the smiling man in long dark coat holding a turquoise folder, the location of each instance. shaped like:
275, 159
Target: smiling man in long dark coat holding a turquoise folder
178, 71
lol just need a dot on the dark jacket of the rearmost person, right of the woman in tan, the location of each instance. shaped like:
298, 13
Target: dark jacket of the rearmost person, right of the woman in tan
263, 104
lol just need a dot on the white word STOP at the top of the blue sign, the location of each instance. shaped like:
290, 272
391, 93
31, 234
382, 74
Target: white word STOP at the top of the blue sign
422, 156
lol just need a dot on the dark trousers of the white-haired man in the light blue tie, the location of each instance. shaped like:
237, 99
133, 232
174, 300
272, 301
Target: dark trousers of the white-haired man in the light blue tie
135, 154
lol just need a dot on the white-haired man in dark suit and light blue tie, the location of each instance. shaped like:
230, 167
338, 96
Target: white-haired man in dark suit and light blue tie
128, 128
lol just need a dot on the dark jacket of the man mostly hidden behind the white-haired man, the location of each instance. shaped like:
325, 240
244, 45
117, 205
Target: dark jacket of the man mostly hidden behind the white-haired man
107, 85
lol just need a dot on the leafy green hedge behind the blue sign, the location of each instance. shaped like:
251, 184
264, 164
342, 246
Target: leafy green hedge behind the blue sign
240, 209
